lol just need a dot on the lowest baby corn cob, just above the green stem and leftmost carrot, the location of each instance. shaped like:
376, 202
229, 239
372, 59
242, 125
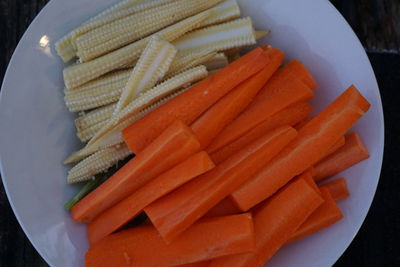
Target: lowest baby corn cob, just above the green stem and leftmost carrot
97, 163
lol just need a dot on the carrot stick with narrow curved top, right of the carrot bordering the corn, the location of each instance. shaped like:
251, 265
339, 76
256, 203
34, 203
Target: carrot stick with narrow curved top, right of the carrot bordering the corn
232, 104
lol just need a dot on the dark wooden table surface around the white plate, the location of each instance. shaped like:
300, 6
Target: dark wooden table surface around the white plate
377, 24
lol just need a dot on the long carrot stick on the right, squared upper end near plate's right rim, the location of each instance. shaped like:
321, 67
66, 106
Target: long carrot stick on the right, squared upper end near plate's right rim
313, 142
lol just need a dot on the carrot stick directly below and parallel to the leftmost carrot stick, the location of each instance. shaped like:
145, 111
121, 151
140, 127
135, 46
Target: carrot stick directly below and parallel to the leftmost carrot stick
118, 215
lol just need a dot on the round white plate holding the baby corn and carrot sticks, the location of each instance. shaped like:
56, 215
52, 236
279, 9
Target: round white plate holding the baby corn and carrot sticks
37, 131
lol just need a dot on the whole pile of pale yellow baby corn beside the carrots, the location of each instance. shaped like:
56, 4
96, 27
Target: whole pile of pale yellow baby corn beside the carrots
134, 57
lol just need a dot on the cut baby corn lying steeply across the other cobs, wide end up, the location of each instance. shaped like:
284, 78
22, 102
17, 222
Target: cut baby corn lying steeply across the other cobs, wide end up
151, 67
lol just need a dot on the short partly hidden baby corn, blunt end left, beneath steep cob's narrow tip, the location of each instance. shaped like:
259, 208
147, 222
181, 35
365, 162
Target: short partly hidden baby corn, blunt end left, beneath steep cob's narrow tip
94, 117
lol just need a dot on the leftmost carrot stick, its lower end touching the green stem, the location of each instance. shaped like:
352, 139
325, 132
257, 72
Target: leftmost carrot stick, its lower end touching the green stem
175, 144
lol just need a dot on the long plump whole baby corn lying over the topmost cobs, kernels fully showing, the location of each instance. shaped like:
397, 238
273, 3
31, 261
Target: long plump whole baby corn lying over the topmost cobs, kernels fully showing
134, 27
